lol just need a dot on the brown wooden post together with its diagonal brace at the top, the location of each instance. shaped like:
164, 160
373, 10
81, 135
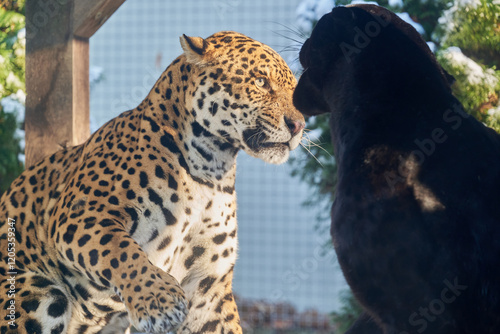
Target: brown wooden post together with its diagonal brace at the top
57, 71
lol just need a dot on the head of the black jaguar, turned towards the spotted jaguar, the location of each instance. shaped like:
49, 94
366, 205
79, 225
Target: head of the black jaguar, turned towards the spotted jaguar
355, 53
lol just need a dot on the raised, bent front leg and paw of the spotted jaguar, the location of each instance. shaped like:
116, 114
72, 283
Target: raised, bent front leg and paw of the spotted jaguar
109, 257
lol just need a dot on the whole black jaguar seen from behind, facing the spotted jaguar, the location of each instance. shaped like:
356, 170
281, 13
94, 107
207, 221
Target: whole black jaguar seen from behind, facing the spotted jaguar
416, 216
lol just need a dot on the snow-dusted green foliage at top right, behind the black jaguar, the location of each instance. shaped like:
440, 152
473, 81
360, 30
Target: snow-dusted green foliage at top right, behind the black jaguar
475, 29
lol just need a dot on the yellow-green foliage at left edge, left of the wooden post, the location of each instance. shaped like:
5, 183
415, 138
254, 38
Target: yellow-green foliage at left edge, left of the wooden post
12, 74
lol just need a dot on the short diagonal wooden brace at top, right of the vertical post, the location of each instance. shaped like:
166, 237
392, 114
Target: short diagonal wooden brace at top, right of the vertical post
90, 15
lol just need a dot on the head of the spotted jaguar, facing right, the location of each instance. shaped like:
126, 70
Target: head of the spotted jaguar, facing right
244, 95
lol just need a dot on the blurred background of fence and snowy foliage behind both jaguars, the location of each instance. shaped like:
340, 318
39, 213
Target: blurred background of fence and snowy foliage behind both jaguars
286, 278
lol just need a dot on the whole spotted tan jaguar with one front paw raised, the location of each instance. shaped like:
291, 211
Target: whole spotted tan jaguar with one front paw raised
138, 224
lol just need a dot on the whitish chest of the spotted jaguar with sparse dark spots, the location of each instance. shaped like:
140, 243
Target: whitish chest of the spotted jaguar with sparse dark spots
188, 230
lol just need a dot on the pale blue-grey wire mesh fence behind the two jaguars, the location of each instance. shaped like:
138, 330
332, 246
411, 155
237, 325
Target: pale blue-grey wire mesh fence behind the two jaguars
285, 280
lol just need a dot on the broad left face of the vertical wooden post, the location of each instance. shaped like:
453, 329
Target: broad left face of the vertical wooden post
49, 79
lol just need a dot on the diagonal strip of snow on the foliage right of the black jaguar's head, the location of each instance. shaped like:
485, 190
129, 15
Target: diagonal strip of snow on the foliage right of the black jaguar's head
475, 73
